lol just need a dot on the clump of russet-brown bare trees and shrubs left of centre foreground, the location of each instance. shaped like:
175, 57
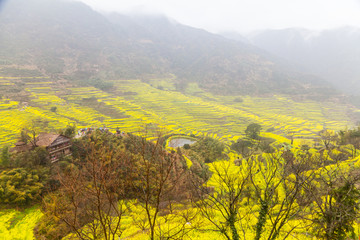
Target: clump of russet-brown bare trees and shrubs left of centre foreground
110, 177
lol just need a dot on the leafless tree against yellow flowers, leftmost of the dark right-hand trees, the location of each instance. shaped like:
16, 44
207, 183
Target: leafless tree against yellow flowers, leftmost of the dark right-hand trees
222, 196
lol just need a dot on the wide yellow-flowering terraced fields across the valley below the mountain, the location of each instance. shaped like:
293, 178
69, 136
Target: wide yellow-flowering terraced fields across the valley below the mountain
134, 104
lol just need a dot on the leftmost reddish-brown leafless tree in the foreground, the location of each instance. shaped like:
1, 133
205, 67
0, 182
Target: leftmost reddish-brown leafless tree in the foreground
89, 197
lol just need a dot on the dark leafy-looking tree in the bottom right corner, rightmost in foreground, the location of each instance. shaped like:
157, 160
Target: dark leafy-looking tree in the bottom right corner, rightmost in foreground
334, 194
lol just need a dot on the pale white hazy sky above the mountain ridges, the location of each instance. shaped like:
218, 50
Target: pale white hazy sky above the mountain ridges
244, 15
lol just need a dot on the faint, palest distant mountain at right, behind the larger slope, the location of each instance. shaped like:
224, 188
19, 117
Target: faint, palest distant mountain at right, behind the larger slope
332, 54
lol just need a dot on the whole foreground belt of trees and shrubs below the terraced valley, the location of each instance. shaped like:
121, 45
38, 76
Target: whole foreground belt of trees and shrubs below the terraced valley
263, 194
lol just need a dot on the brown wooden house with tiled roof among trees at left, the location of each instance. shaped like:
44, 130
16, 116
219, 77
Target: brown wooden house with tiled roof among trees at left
57, 145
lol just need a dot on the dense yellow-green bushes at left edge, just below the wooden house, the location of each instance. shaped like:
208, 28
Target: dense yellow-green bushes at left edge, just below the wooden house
24, 177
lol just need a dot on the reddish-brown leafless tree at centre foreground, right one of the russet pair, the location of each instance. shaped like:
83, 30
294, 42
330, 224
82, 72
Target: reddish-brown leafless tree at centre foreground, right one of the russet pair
161, 182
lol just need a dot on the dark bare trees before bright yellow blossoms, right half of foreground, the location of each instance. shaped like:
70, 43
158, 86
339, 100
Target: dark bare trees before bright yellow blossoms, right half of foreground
277, 195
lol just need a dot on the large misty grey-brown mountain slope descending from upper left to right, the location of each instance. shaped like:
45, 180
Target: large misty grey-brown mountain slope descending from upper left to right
69, 40
